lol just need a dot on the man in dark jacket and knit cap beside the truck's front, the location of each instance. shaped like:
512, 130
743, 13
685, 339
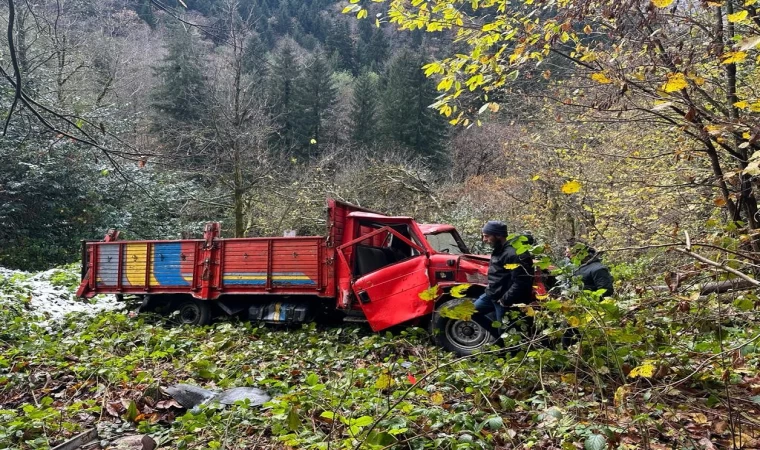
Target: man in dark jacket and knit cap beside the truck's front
510, 277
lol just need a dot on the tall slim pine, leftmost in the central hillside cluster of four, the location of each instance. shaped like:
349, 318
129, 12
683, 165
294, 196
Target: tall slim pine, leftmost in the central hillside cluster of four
285, 72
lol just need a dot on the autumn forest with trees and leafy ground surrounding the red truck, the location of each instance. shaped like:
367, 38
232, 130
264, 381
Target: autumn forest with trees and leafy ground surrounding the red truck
631, 125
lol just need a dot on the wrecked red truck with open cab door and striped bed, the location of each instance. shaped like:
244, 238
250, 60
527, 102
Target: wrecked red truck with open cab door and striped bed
380, 268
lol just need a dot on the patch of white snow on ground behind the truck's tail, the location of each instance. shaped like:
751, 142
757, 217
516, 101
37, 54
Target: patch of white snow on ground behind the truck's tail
48, 301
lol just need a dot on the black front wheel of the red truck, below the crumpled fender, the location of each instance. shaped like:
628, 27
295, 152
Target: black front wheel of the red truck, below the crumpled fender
463, 337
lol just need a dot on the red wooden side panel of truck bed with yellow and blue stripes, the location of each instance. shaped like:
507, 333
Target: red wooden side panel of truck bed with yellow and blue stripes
288, 266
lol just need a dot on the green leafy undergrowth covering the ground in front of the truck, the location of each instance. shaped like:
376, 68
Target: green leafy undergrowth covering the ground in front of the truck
646, 372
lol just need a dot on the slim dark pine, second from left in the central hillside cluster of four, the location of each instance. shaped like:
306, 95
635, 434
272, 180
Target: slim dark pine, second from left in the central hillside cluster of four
317, 96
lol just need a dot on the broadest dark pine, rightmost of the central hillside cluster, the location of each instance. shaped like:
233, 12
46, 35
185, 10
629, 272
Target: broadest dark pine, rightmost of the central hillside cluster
406, 117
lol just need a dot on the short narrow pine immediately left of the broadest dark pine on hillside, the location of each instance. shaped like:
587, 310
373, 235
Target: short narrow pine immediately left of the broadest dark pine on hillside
364, 109
